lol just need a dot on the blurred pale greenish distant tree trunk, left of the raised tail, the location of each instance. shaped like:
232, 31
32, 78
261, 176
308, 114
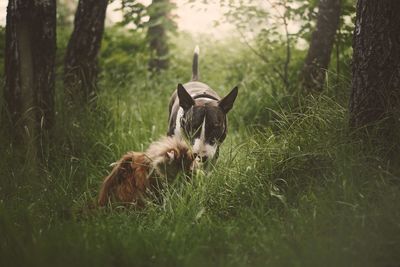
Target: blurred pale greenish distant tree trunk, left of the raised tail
157, 34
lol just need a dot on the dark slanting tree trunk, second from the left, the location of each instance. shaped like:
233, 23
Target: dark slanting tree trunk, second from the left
80, 66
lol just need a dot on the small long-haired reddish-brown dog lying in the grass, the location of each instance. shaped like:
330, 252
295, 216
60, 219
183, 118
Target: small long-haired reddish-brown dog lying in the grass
137, 173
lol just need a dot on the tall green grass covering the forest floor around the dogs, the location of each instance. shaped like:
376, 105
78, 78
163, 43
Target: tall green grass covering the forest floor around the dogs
292, 187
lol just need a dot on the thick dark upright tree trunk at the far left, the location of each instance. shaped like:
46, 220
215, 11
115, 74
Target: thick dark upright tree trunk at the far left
29, 66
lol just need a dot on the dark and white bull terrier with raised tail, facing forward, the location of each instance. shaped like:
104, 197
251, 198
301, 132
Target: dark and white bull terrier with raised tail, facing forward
198, 113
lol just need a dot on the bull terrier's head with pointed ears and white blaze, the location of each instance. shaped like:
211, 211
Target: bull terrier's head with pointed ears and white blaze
203, 121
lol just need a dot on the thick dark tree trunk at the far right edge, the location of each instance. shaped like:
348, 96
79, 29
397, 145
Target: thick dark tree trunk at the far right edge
376, 62
